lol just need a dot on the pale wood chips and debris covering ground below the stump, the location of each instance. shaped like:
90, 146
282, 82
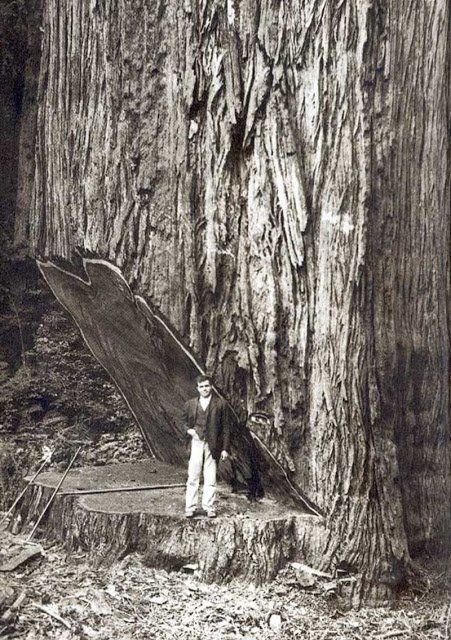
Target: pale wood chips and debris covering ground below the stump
62, 597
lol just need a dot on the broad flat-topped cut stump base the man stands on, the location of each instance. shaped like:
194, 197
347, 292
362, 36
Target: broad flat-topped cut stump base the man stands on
248, 540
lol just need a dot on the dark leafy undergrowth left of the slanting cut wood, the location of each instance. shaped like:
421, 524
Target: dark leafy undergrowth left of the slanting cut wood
60, 397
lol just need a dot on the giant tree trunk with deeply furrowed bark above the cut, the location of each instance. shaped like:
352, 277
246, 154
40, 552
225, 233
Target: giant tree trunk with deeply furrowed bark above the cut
273, 176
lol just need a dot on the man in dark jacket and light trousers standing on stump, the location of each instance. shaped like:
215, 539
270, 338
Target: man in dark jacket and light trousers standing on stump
206, 420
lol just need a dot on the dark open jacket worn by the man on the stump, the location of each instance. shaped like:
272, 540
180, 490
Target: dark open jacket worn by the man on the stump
217, 432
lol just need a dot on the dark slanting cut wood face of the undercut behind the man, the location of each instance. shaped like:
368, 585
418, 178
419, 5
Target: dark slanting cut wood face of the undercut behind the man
155, 372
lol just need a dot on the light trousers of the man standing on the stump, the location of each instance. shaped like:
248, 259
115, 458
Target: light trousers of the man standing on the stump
200, 456
